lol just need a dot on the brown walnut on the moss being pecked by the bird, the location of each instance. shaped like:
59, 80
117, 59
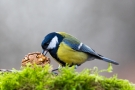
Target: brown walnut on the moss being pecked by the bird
35, 58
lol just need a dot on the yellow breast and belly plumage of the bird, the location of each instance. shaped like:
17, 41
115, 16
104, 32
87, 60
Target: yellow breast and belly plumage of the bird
70, 56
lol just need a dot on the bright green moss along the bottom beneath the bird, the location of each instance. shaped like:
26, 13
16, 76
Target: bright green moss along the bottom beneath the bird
38, 78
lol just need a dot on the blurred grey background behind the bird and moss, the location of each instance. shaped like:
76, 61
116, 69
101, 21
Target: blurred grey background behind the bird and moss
107, 26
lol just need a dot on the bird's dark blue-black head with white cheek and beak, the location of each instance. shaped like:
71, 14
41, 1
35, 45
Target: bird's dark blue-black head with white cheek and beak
51, 41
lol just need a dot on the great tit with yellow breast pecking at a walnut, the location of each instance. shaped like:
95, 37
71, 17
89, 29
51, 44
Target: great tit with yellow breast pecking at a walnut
66, 49
